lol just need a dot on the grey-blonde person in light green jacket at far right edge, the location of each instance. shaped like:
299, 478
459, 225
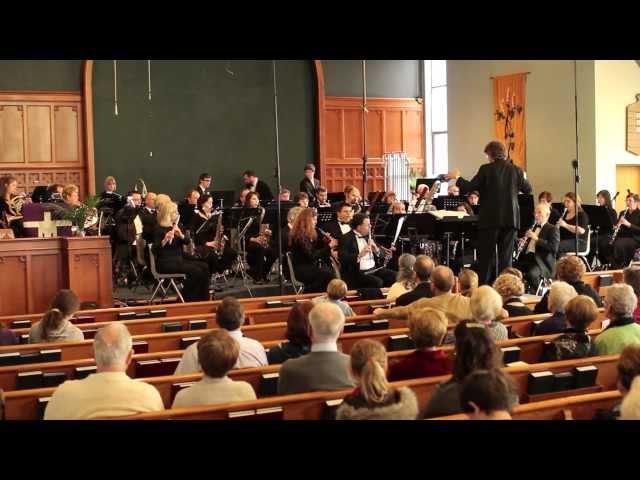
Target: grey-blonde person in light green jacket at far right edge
623, 330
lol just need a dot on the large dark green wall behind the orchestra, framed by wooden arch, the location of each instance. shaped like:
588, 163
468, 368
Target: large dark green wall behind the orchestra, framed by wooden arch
202, 119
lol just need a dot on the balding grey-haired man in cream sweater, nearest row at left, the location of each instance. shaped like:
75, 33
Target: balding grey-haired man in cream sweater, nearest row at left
109, 392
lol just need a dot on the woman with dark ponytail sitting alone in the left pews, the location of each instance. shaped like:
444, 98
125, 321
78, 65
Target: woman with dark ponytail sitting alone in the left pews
55, 325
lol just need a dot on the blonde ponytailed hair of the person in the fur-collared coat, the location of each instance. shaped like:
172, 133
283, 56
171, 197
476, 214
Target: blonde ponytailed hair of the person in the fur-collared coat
369, 365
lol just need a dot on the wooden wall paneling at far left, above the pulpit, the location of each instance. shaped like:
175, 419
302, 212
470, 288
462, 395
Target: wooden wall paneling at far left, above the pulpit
41, 139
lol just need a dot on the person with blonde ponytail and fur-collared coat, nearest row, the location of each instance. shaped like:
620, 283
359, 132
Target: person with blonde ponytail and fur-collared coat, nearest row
374, 398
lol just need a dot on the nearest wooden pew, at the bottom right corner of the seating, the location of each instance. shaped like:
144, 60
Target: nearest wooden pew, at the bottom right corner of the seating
577, 407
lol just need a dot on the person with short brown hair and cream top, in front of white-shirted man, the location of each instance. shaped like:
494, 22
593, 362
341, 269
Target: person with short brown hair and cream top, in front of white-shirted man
217, 354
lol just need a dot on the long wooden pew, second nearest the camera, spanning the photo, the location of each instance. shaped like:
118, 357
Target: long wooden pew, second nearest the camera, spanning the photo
22, 404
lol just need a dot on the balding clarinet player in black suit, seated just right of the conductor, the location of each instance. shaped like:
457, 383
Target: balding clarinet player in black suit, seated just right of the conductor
538, 259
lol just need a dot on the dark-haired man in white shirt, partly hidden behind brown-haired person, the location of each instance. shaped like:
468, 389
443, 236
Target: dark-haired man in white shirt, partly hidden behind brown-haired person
229, 316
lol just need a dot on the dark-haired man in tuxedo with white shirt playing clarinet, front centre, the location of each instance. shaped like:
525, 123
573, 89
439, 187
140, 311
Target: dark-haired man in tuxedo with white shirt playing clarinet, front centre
357, 256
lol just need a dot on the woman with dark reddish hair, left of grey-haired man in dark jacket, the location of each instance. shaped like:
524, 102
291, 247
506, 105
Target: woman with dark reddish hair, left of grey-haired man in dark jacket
298, 335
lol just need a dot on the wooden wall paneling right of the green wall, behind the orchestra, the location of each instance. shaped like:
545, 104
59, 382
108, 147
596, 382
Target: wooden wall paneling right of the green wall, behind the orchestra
392, 125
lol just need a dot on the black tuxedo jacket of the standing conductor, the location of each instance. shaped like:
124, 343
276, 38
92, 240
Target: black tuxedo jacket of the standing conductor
498, 183
